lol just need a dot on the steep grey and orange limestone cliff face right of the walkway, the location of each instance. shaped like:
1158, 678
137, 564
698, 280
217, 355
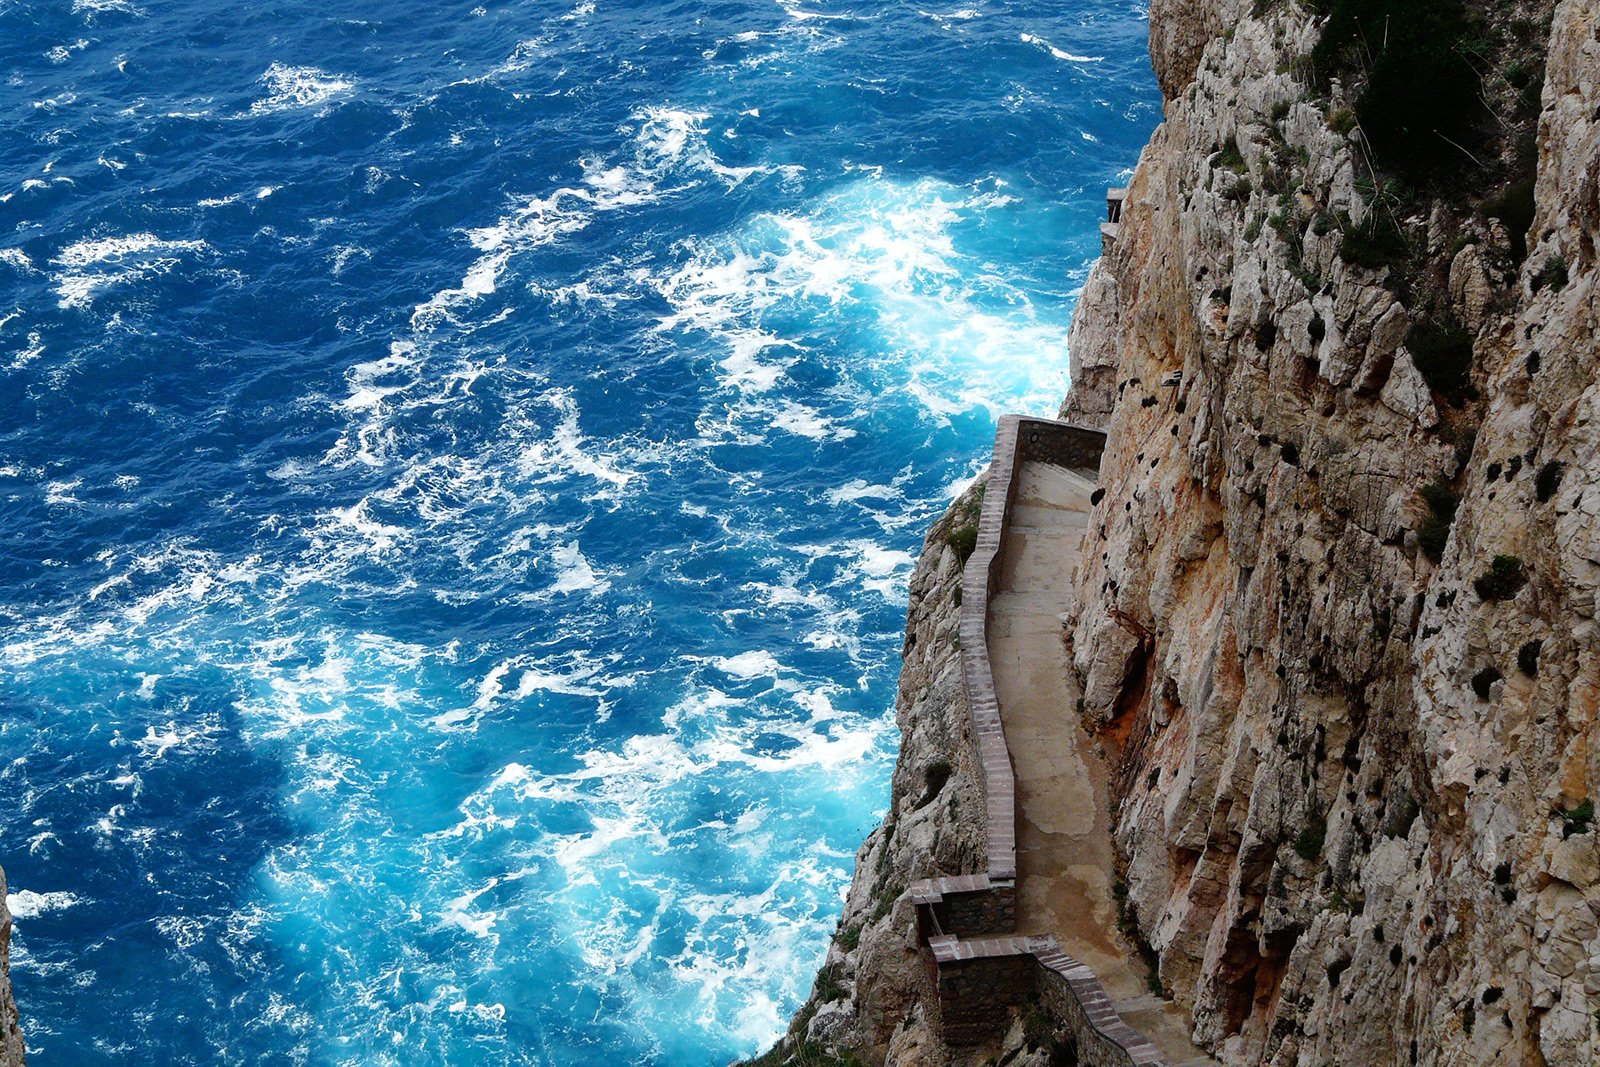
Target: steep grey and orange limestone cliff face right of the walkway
1354, 783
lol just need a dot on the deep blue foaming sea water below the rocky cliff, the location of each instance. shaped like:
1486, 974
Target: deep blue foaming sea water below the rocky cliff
460, 470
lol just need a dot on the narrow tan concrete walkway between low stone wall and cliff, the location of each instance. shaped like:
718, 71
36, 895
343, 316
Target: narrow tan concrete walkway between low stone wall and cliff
1065, 852
